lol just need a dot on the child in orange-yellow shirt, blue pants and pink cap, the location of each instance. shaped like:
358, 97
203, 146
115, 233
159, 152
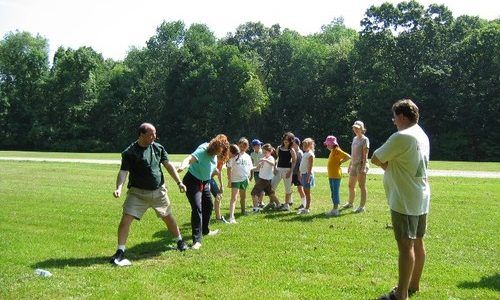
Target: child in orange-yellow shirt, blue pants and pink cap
336, 158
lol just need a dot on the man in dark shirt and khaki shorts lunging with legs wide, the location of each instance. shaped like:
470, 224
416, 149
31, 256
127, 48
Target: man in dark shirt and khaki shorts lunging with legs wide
146, 186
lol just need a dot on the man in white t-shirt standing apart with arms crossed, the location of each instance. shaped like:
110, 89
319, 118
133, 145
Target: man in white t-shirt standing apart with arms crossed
405, 158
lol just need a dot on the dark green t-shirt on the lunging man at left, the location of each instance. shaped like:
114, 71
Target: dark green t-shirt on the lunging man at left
144, 165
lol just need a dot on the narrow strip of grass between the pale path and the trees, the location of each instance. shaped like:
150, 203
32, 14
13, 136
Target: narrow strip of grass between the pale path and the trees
436, 165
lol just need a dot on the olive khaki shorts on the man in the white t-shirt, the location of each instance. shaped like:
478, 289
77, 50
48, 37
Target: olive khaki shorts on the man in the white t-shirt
408, 227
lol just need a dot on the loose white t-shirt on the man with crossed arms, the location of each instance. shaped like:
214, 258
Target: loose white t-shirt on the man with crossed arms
405, 179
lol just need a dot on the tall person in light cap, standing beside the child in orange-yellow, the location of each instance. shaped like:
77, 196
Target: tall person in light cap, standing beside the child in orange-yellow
358, 167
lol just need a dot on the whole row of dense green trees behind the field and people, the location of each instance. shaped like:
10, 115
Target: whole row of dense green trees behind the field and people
260, 82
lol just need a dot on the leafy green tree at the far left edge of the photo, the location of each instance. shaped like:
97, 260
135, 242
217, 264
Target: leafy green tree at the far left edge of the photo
23, 69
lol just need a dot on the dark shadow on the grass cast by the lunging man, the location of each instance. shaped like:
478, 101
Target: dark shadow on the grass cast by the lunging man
138, 252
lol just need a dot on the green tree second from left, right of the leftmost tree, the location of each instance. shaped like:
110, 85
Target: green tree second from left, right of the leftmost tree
74, 88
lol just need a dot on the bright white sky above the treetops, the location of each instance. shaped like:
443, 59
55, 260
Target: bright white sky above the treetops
111, 27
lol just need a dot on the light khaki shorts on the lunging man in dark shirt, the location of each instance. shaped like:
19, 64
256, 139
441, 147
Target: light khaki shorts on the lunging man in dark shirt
139, 200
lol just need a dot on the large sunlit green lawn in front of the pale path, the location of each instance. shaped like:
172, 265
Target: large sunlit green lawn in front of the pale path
62, 217
